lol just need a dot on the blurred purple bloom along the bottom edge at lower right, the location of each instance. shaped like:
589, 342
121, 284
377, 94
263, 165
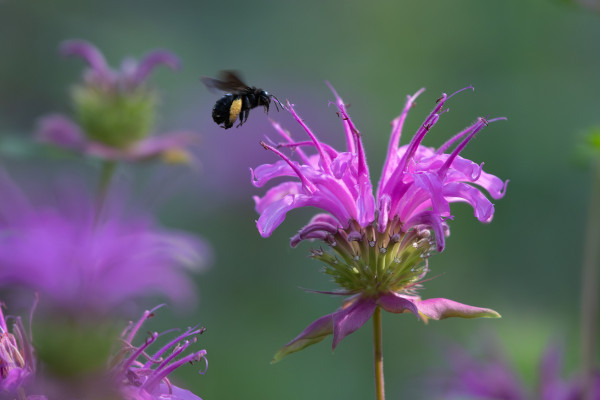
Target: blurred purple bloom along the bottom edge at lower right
493, 378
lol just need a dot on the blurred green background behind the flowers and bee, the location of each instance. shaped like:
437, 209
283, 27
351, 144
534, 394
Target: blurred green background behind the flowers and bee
536, 62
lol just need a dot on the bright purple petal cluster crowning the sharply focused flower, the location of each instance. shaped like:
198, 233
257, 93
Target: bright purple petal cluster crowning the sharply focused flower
417, 184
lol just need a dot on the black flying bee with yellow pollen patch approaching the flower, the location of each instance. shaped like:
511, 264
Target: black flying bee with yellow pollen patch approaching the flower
238, 101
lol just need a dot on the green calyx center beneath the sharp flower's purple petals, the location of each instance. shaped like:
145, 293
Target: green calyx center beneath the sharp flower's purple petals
364, 260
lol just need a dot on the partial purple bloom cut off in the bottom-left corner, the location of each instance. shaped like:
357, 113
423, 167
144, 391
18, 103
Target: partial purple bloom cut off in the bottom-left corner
17, 360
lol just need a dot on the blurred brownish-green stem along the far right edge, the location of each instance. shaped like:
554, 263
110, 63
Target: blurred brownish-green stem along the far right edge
589, 292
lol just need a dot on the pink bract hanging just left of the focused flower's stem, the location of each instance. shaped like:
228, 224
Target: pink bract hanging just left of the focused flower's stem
350, 318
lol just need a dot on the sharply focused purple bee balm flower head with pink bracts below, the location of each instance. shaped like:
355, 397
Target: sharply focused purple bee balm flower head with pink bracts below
380, 244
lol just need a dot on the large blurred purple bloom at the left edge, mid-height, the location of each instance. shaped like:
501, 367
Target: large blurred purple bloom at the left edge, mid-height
83, 261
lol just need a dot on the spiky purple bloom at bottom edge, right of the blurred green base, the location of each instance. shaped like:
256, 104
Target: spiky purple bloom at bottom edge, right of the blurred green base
141, 375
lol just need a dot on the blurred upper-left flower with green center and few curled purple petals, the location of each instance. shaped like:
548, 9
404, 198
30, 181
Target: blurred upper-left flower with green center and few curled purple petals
115, 111
